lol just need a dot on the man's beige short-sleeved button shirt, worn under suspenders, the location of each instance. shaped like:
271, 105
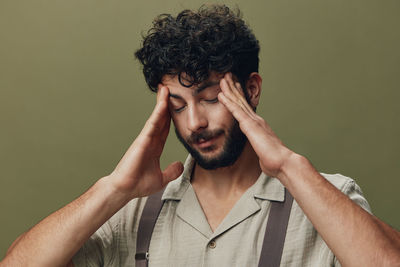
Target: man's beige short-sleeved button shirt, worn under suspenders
183, 237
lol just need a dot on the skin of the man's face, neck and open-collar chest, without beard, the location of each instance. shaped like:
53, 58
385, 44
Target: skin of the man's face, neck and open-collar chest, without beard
217, 190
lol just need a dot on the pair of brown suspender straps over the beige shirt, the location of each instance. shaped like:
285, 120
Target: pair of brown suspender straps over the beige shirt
274, 238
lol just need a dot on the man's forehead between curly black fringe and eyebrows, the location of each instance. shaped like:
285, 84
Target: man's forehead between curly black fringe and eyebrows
175, 87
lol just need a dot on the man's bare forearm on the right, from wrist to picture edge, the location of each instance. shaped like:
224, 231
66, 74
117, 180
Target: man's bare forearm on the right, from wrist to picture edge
355, 237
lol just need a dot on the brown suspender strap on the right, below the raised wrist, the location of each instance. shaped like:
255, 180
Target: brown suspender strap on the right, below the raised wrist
275, 233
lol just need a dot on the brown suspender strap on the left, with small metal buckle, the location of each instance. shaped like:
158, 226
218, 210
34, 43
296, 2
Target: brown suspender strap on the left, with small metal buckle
147, 222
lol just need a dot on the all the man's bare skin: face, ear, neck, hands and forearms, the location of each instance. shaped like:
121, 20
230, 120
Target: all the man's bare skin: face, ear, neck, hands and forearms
355, 237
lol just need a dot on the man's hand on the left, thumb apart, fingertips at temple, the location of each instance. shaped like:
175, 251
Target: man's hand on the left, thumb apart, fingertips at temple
138, 173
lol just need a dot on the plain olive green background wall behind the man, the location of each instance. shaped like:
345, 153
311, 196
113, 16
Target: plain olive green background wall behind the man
72, 97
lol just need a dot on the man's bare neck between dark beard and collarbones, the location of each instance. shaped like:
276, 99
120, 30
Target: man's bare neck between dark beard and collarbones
231, 180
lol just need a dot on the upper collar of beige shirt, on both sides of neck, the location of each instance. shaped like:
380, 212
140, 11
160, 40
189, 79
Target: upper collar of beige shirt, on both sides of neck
267, 188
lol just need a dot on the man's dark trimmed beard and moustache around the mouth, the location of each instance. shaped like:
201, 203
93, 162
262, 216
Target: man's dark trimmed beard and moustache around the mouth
232, 148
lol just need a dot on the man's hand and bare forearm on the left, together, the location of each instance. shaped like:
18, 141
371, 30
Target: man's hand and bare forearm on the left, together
55, 240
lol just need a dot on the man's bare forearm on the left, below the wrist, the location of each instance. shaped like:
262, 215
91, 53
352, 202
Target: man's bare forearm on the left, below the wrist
54, 240
